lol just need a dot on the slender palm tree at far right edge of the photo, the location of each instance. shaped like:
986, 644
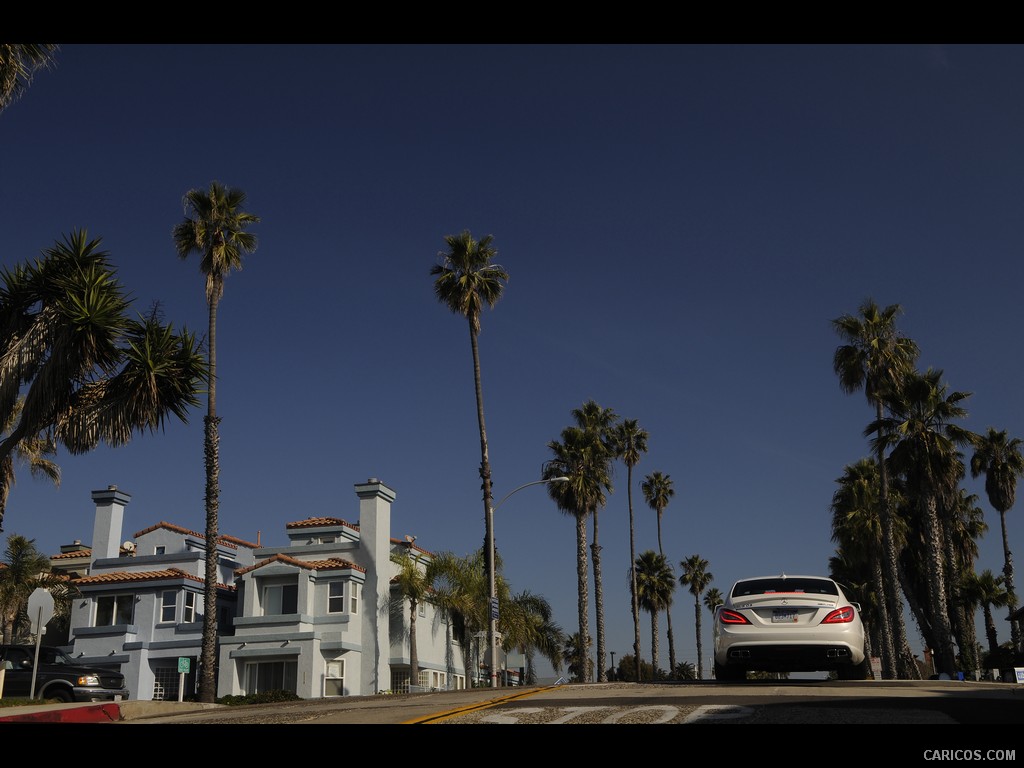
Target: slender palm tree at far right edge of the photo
999, 457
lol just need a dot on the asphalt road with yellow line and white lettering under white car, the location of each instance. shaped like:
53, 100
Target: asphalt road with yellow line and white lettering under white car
757, 703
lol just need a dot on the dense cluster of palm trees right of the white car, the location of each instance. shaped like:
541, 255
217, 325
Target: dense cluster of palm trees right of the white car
906, 529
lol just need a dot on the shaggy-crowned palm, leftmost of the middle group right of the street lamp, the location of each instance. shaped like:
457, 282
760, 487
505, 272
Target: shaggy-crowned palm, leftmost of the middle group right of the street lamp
578, 457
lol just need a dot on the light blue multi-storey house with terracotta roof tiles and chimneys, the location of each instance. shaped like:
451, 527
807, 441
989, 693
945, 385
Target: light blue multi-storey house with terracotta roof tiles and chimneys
320, 617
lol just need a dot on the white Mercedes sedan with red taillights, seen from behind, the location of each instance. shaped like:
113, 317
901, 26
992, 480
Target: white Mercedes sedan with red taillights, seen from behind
789, 624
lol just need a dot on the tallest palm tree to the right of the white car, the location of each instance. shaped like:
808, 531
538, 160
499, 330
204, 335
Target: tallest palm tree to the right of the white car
874, 358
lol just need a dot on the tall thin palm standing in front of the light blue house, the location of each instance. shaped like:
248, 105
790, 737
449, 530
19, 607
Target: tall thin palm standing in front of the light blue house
215, 229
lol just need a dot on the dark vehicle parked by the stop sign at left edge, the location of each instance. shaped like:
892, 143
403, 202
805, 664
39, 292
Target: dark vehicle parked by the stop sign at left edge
58, 676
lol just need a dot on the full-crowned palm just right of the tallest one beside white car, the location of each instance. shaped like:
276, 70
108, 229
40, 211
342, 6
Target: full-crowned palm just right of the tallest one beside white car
924, 440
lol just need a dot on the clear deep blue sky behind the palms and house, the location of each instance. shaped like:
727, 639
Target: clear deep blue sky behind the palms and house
680, 223
